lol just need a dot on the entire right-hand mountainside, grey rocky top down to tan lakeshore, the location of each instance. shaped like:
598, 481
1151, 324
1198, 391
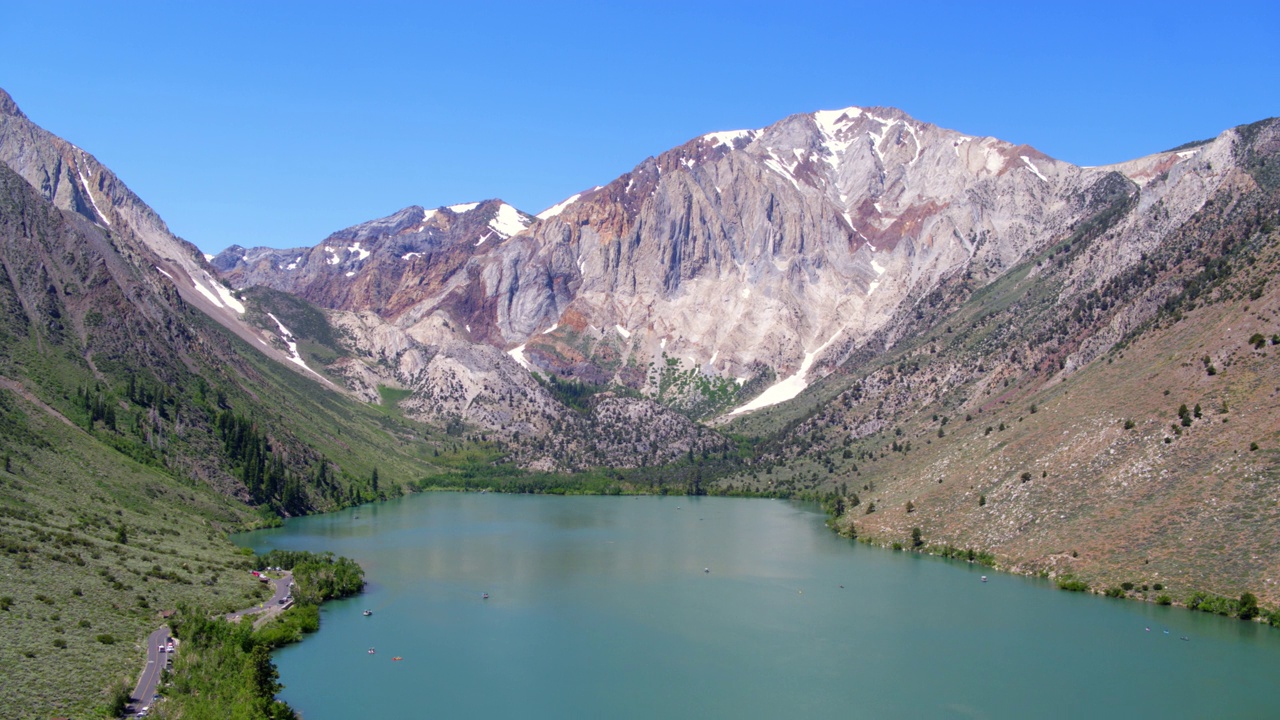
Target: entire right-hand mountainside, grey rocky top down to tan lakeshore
1105, 411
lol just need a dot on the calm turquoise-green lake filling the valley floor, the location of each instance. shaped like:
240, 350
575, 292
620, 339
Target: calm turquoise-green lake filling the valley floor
601, 608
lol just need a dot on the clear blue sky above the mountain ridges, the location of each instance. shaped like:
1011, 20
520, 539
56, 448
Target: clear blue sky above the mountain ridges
277, 124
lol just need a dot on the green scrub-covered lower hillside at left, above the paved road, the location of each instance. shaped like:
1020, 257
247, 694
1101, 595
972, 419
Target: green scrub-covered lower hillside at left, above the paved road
71, 581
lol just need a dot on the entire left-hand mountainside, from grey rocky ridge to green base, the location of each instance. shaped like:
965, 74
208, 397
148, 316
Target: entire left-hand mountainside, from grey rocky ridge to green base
138, 430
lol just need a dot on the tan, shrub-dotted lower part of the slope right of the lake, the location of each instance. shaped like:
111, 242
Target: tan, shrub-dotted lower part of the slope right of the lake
1105, 503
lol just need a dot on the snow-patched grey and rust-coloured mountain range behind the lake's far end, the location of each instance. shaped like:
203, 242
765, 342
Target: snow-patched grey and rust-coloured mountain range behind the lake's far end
739, 266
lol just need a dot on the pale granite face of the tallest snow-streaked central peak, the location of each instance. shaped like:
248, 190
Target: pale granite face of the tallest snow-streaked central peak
767, 252
